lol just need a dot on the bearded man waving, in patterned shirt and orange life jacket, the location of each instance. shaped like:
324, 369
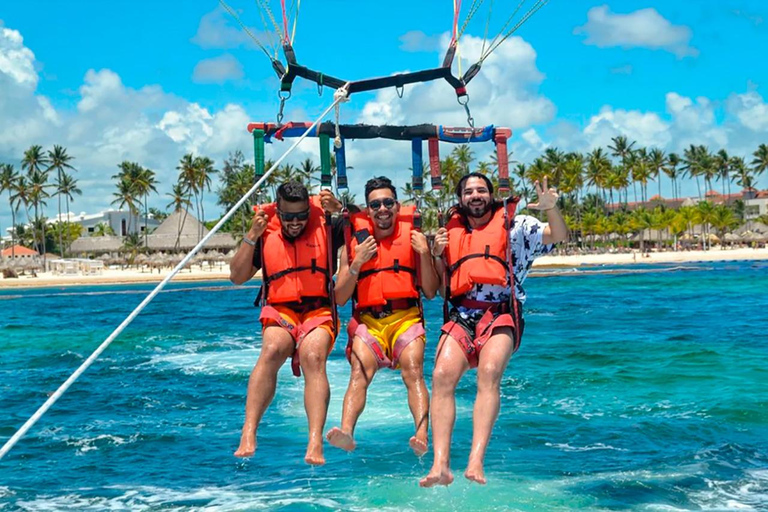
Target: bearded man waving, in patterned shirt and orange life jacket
488, 251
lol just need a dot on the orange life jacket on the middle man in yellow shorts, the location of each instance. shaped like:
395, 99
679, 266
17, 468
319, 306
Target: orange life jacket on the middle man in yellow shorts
391, 274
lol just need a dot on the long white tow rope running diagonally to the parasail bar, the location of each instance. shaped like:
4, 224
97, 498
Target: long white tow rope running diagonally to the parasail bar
338, 97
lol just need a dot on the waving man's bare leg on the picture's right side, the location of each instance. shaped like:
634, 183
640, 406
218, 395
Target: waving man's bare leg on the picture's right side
493, 361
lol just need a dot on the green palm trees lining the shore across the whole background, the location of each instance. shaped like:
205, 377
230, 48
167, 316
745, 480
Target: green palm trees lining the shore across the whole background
601, 178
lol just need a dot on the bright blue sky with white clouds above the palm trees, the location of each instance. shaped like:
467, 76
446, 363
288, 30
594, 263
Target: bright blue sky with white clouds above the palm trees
150, 81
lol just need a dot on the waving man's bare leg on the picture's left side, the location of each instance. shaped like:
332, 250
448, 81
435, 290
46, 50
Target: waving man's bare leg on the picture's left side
449, 367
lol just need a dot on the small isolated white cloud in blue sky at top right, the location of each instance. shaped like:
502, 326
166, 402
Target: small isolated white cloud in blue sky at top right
645, 28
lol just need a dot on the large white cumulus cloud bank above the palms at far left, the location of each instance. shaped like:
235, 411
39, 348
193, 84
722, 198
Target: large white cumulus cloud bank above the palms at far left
111, 122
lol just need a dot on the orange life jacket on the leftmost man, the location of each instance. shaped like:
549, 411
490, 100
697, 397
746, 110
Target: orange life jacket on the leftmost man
295, 269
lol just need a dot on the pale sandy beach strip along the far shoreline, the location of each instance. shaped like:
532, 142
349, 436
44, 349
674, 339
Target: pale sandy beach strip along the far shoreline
221, 272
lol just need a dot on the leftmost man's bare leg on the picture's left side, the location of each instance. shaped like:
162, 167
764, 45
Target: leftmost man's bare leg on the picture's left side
276, 347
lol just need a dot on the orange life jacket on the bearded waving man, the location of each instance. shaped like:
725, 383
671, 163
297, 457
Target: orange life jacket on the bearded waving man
478, 256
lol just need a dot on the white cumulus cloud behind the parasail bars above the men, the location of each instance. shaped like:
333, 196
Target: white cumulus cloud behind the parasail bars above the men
505, 93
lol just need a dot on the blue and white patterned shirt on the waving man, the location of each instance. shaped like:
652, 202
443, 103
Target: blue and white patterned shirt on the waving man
525, 239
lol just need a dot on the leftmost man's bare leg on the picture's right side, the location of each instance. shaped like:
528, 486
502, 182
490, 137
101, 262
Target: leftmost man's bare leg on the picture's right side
314, 354
